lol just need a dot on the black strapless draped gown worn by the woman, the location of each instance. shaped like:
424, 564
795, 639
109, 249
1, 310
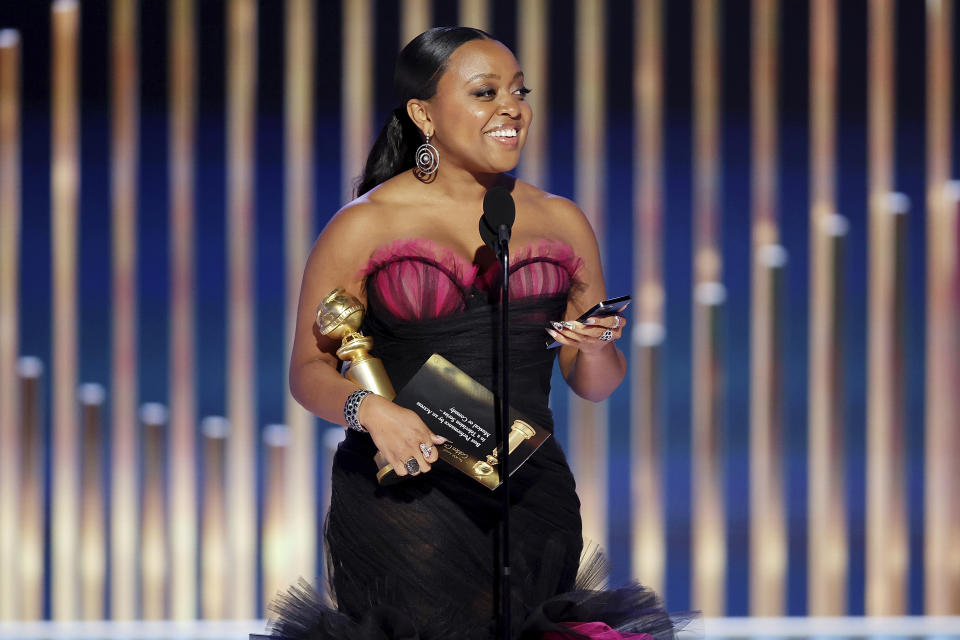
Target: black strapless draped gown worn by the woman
416, 560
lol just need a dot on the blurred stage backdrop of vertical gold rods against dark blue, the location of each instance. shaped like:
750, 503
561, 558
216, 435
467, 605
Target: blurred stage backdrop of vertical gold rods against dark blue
770, 180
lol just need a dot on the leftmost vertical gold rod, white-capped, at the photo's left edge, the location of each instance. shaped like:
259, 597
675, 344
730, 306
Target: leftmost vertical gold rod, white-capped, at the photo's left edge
10, 586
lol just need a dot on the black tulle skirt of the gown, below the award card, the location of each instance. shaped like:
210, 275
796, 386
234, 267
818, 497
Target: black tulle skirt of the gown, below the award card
417, 561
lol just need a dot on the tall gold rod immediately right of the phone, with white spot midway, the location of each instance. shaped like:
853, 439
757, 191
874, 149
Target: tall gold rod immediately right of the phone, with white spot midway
648, 527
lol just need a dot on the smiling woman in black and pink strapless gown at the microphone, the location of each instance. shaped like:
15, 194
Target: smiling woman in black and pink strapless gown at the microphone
417, 559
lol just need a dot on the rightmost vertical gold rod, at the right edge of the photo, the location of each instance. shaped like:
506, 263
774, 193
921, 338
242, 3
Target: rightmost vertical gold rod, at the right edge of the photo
942, 505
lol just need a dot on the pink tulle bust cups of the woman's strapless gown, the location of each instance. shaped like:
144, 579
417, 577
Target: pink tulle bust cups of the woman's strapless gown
419, 279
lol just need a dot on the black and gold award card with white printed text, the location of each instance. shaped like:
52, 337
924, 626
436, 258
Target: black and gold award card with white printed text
457, 407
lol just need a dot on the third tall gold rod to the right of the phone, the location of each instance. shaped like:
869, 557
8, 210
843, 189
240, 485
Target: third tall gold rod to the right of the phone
768, 531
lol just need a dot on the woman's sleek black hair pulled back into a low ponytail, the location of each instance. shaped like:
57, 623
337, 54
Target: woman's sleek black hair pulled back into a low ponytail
419, 67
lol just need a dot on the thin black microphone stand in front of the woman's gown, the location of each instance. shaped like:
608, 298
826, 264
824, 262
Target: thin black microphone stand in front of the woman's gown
503, 252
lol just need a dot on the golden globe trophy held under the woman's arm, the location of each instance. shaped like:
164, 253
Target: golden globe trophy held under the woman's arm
339, 316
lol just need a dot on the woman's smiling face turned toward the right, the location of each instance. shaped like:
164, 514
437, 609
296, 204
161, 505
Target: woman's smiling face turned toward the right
478, 115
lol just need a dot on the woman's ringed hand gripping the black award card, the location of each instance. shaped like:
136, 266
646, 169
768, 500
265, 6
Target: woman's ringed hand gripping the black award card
398, 433
